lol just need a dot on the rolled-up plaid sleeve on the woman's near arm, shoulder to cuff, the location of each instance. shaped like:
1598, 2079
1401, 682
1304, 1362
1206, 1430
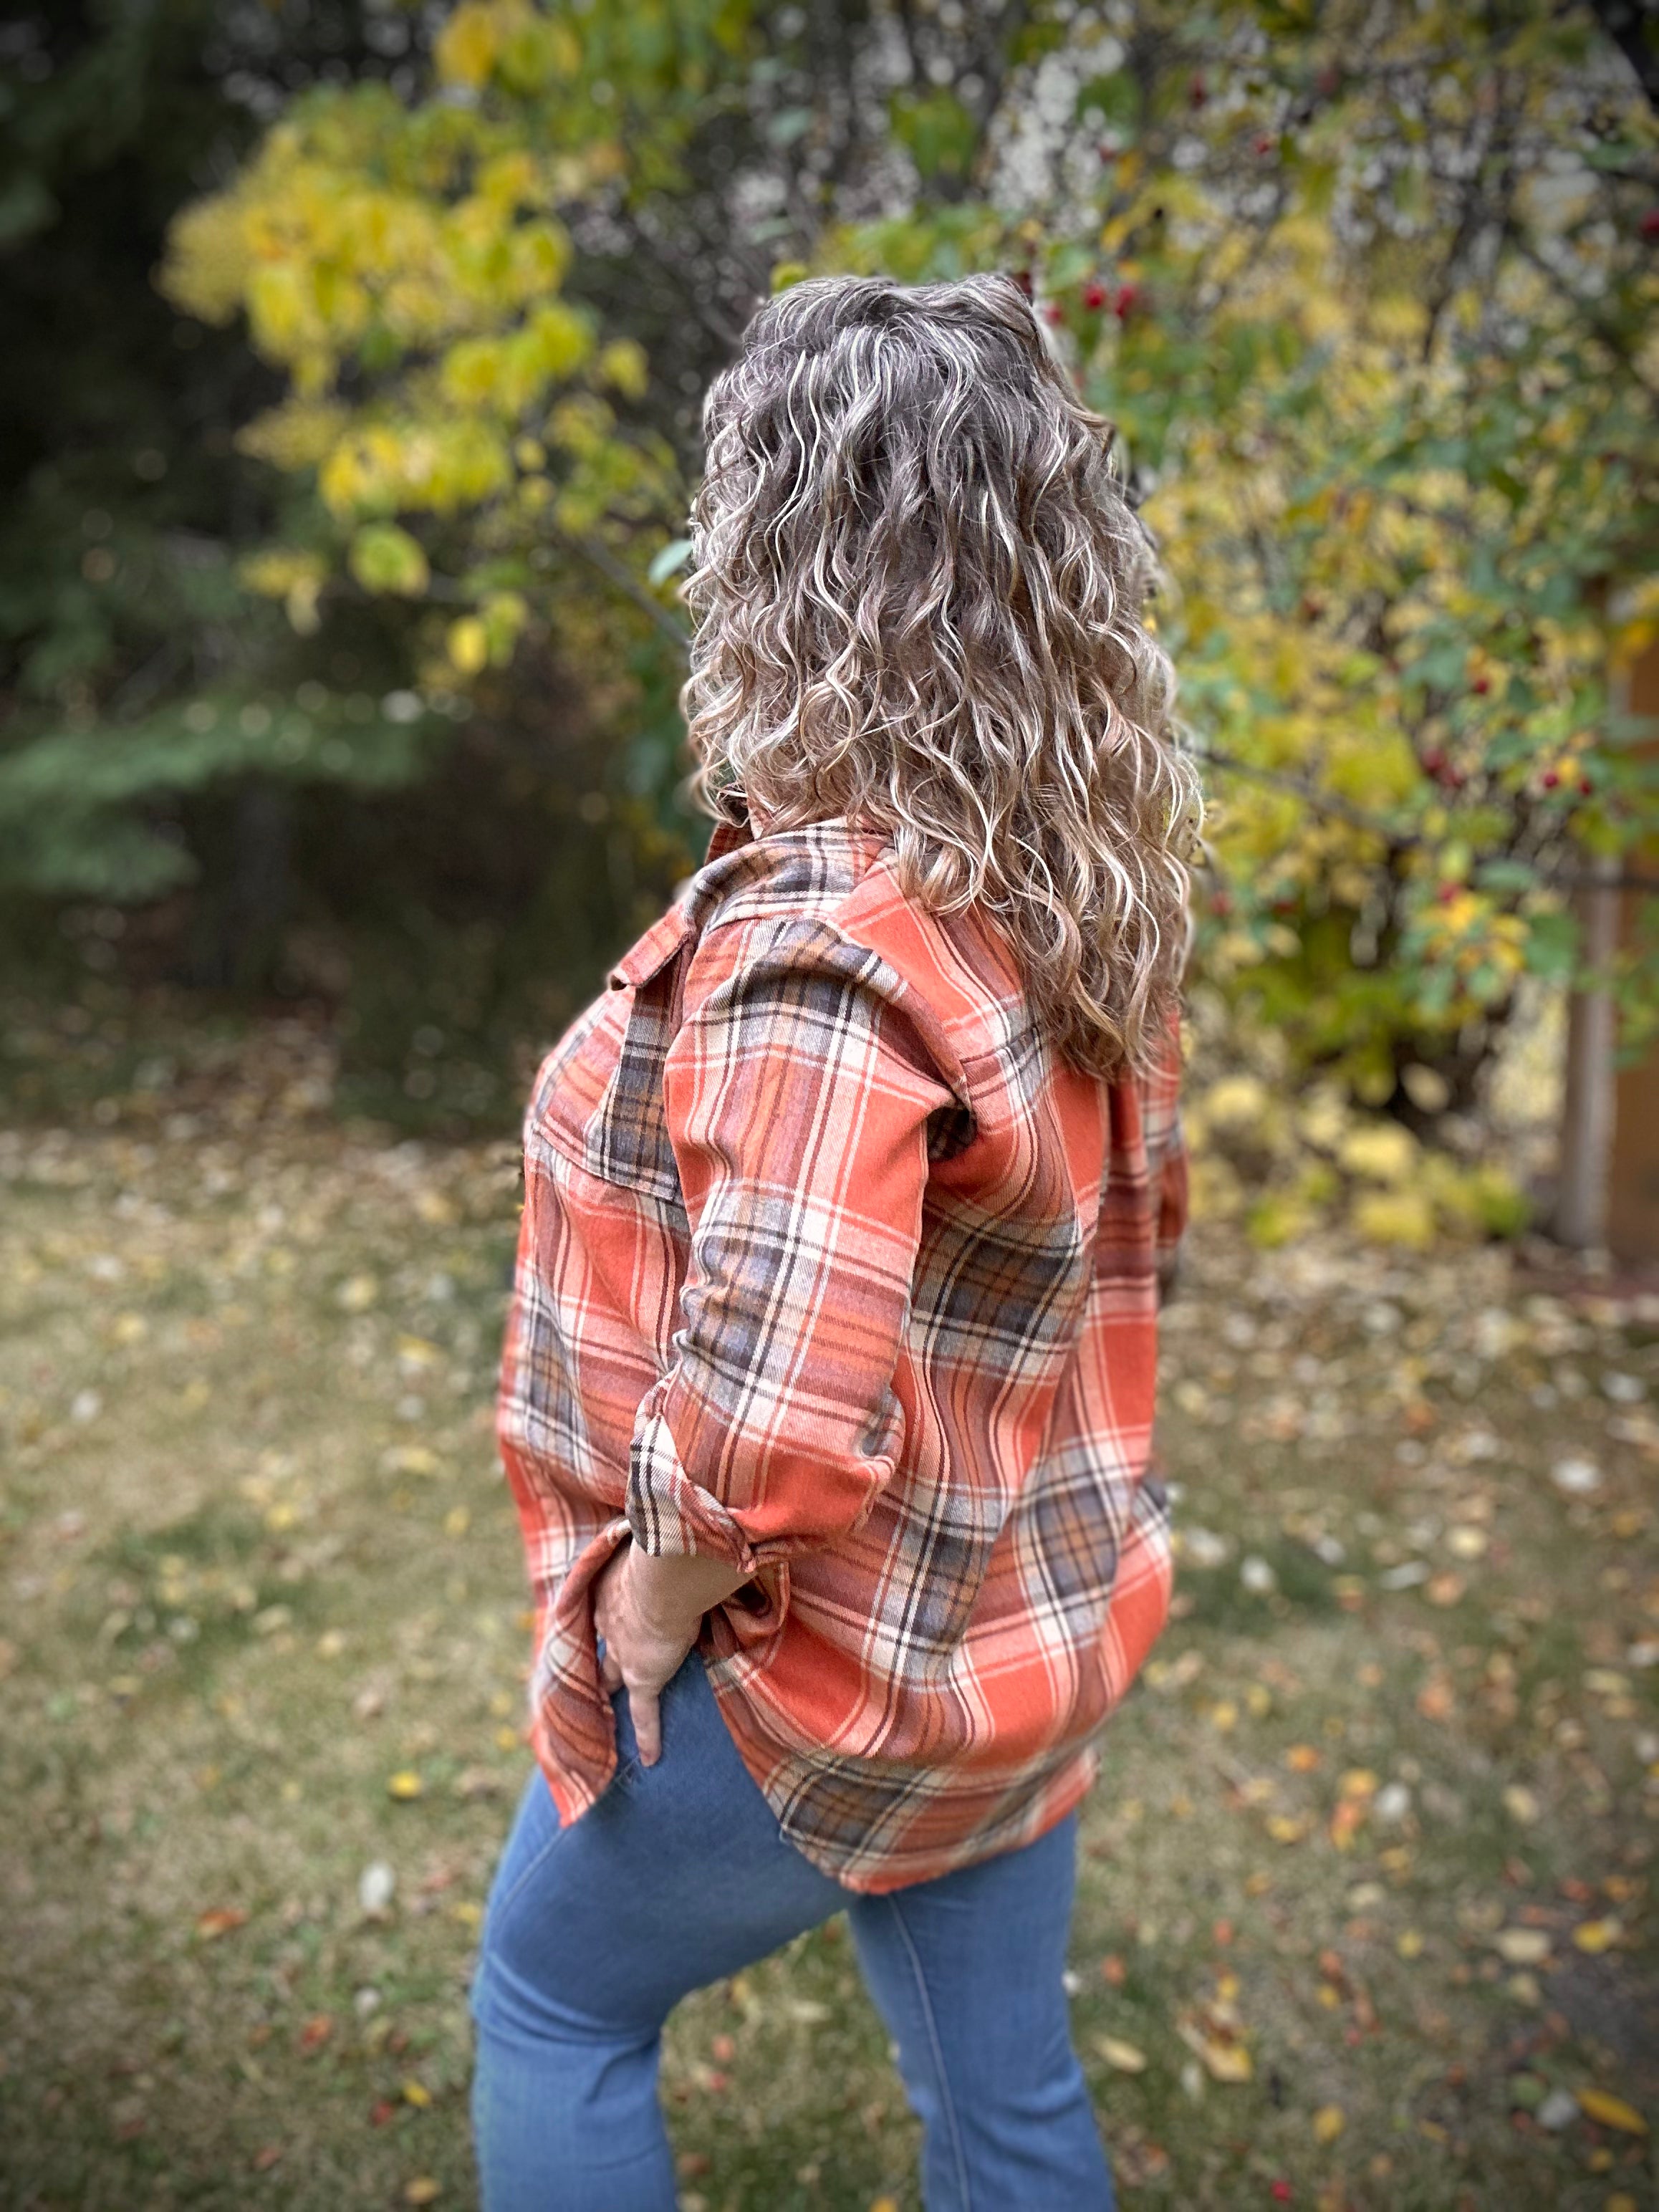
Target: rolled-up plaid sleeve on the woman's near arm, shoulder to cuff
800, 1096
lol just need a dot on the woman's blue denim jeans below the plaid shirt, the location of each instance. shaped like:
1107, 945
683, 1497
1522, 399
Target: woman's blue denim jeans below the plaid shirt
680, 1877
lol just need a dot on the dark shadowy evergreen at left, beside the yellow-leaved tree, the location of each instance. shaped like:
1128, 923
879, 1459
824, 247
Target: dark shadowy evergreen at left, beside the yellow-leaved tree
191, 784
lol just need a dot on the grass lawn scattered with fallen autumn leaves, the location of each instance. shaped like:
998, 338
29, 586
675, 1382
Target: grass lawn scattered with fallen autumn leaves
1366, 1886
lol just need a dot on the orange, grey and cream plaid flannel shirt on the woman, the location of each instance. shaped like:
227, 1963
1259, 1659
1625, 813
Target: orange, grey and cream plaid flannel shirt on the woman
833, 1271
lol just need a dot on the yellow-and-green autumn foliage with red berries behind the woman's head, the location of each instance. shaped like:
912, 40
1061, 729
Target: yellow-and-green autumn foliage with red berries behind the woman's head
1368, 293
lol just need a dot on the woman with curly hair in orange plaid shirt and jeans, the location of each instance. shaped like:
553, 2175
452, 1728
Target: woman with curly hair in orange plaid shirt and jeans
828, 1379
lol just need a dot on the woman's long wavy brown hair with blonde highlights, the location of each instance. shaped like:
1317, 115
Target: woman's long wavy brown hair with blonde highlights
919, 596
